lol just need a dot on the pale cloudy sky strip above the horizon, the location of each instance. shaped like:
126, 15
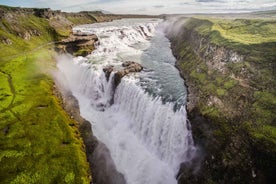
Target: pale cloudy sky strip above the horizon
148, 6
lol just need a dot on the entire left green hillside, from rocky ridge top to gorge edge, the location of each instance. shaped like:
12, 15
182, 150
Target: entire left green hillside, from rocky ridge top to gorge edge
39, 142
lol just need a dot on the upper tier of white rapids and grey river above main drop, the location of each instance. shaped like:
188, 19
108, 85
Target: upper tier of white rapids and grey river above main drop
141, 41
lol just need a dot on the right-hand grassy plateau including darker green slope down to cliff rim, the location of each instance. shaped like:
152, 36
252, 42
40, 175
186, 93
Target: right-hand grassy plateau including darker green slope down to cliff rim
254, 38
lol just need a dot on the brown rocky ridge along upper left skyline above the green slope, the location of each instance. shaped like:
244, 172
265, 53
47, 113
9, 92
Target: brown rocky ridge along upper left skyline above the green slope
25, 22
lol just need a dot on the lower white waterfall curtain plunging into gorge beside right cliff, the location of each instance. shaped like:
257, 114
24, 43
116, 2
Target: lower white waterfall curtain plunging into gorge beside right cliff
160, 128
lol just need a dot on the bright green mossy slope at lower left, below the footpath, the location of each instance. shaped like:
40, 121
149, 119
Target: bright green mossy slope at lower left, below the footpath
38, 141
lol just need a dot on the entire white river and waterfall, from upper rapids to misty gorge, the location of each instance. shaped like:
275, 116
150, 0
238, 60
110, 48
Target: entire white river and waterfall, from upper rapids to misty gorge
143, 121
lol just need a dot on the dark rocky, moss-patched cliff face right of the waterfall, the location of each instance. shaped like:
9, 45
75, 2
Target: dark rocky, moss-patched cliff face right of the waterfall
224, 106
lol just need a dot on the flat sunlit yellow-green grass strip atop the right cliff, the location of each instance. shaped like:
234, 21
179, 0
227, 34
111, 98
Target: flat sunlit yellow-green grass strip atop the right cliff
246, 31
